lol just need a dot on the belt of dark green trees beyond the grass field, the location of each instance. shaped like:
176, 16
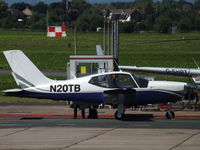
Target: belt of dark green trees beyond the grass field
159, 16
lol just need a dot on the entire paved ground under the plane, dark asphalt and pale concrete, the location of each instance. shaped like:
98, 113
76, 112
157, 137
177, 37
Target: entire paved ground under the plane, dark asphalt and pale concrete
65, 133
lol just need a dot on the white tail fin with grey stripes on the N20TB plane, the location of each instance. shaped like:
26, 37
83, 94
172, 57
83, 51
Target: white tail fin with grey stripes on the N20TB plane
25, 73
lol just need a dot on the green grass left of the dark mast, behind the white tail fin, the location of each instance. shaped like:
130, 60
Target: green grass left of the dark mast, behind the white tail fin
46, 53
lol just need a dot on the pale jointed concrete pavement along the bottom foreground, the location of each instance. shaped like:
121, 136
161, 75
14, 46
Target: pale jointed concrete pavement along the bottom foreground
63, 138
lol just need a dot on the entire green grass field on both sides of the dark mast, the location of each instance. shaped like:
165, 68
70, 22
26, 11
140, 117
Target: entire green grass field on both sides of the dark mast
53, 53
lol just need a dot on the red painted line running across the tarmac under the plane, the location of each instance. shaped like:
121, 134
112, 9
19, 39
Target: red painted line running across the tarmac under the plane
100, 116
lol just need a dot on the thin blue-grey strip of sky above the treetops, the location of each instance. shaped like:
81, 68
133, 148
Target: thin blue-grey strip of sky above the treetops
10, 2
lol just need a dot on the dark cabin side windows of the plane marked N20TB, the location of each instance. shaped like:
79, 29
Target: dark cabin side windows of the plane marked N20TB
113, 81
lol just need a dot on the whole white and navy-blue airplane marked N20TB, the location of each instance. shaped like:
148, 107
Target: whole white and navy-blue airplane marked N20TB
120, 89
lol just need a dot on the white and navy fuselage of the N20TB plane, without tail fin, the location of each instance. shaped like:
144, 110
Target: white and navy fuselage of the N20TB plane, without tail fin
84, 90
